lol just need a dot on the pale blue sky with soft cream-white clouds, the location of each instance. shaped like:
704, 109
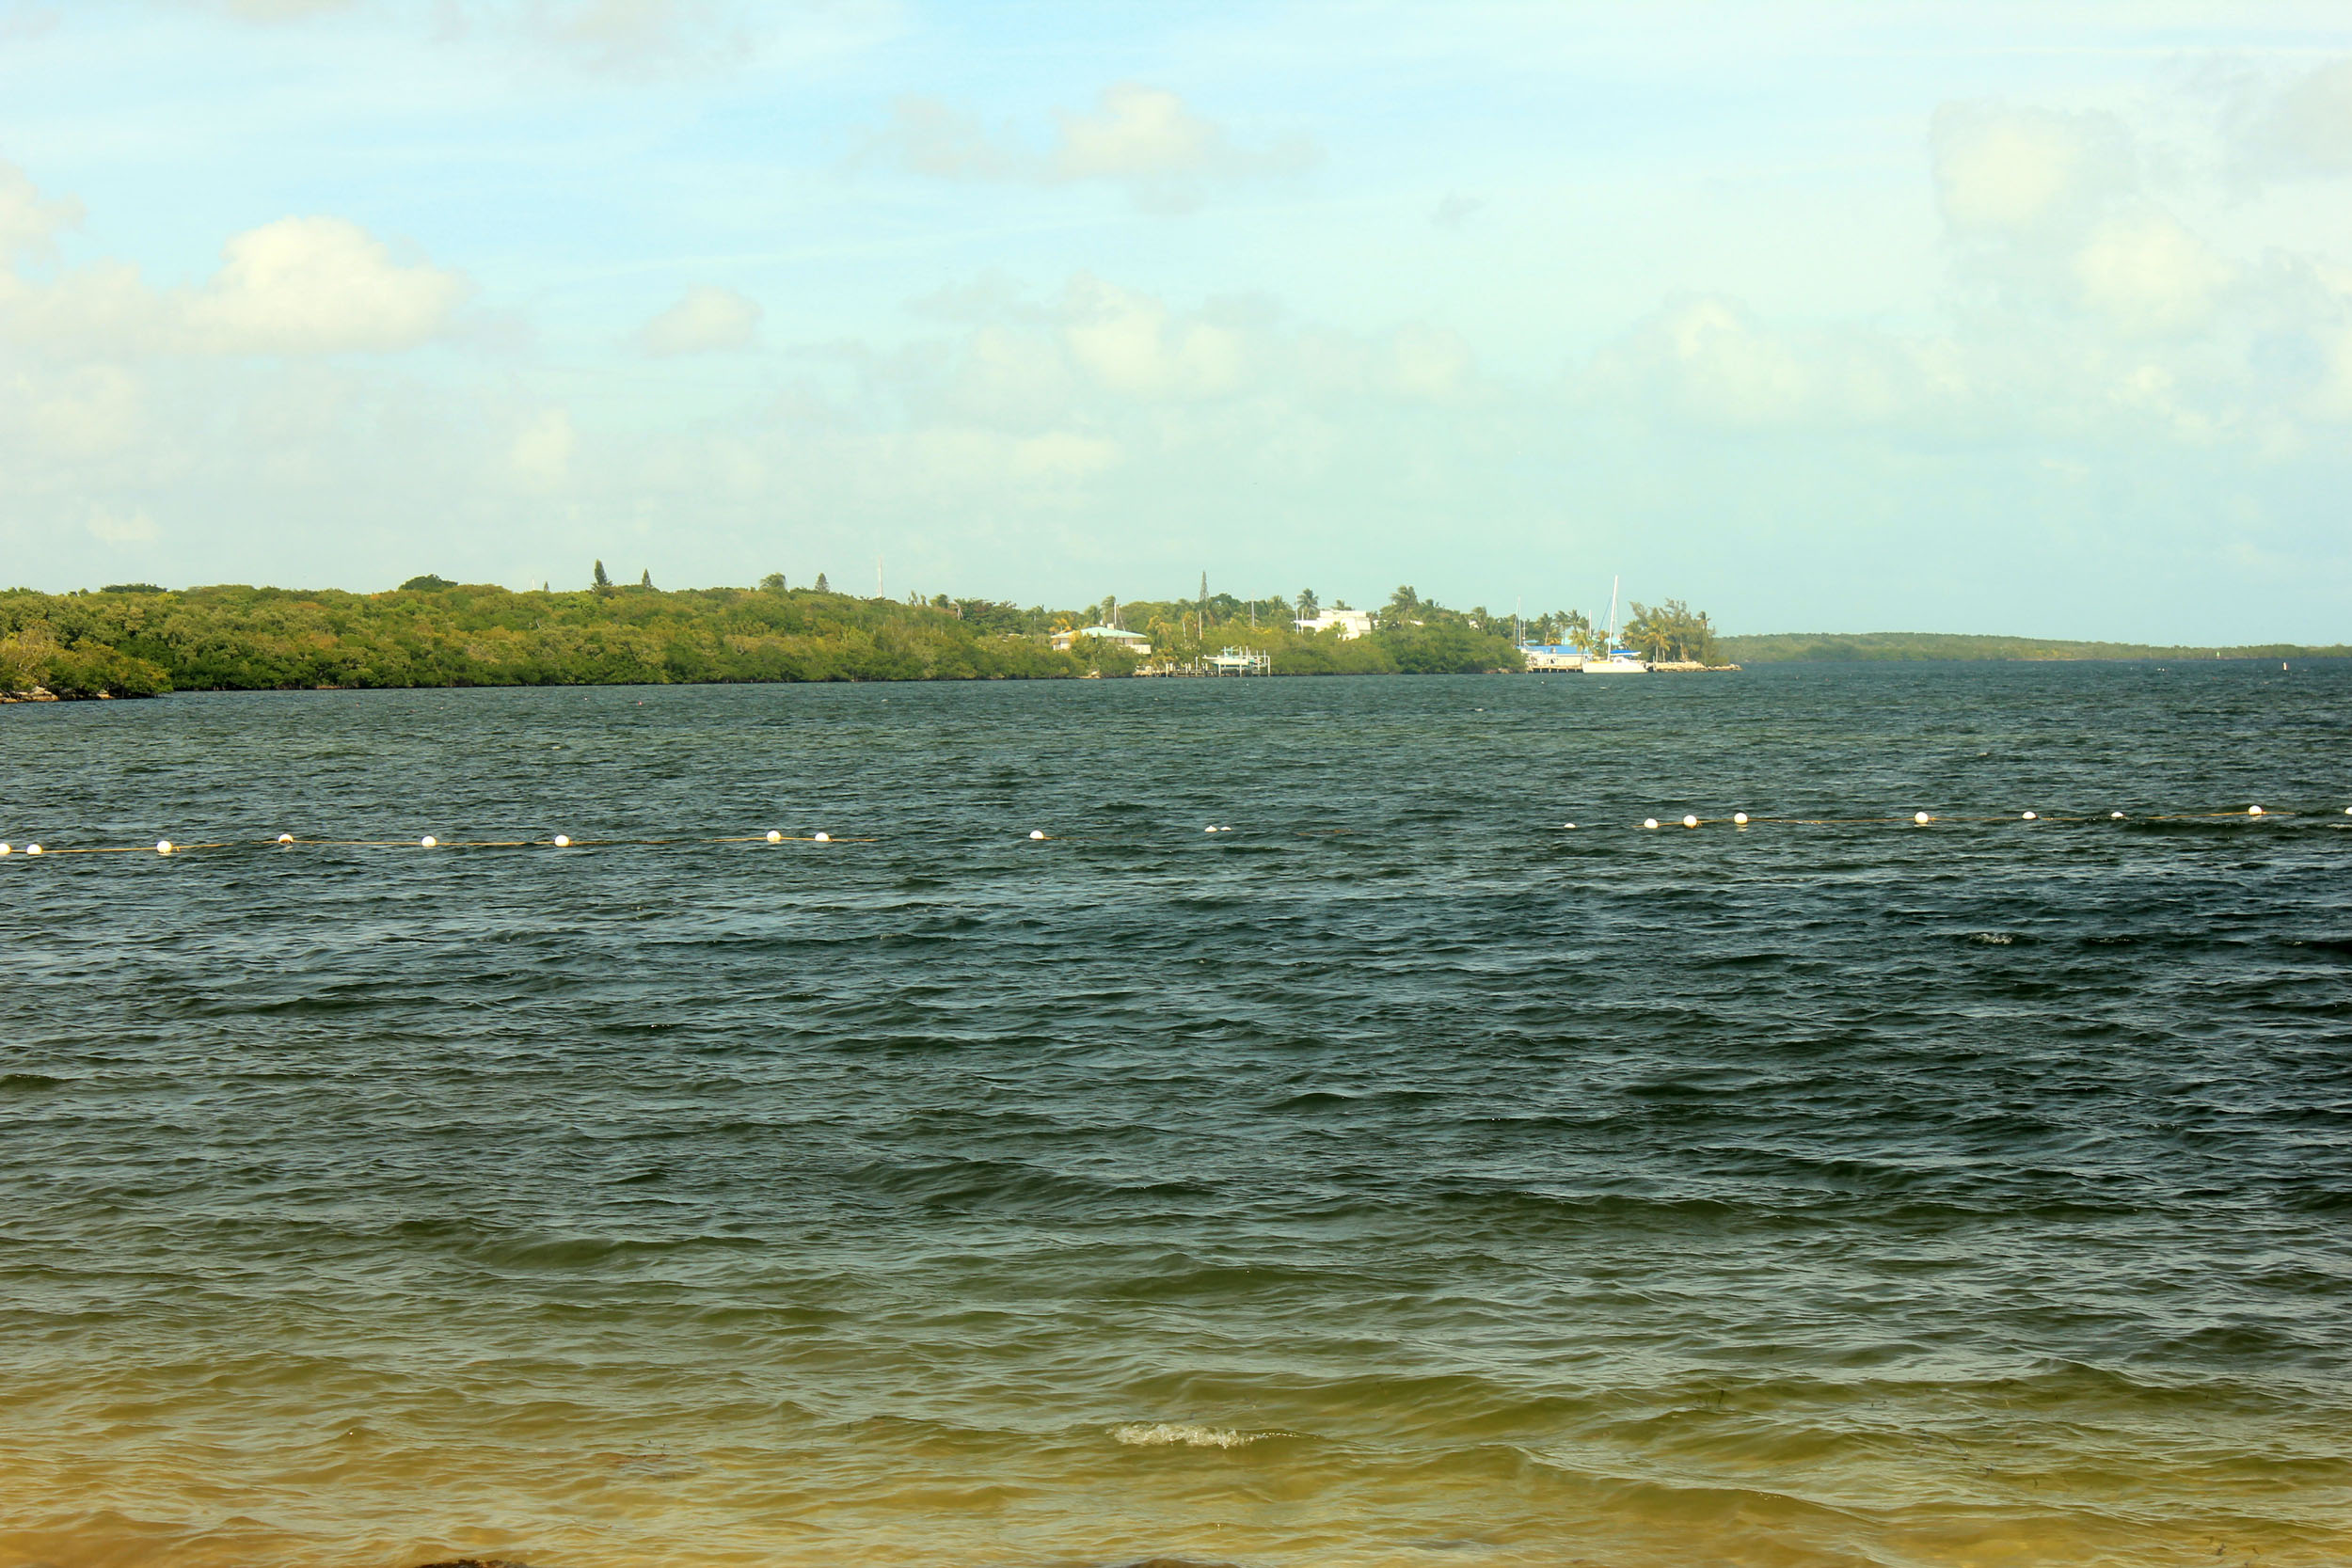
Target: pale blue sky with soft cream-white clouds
1970, 319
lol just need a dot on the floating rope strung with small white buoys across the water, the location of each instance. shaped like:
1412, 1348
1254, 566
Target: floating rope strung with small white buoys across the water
1041, 836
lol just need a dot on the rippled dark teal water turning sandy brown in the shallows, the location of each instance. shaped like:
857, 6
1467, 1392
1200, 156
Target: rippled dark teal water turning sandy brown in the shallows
1396, 1179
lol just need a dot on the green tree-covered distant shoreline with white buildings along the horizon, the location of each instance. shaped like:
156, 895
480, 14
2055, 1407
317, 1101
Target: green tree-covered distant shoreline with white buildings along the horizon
142, 641
